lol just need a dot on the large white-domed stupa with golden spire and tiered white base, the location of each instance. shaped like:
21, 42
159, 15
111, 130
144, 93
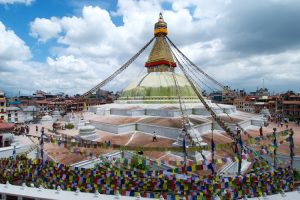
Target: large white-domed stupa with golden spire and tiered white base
150, 104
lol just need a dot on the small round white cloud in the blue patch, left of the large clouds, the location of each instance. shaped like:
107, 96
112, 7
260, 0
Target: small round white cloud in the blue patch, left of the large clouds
45, 29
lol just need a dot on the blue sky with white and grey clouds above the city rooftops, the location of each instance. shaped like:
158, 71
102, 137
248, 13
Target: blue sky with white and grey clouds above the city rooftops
71, 45
